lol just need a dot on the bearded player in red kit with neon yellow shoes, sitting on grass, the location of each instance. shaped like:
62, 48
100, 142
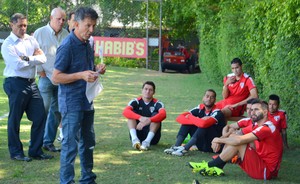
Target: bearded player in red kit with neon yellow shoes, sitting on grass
259, 148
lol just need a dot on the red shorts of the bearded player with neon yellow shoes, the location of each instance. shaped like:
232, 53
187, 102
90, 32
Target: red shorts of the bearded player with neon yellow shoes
254, 166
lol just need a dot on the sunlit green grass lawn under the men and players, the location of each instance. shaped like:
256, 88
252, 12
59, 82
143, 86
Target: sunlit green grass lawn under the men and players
115, 161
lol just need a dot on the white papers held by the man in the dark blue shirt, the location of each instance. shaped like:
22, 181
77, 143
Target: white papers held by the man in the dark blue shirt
93, 89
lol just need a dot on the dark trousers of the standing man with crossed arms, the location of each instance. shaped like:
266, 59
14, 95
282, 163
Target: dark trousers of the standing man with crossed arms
24, 96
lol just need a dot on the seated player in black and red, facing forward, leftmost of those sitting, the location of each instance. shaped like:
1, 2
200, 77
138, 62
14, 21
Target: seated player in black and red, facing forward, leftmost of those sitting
145, 115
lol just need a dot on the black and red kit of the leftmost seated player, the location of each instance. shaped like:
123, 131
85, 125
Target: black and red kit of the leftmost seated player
154, 109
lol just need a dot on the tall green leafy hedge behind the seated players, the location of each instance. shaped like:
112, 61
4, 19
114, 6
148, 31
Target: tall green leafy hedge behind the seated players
265, 35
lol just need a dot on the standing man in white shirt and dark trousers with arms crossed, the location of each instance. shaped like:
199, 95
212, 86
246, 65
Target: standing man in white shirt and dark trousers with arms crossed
21, 54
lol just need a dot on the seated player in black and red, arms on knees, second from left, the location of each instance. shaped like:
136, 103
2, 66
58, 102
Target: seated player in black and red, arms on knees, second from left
203, 123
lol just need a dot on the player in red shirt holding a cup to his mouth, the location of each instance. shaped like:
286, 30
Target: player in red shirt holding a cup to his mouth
238, 88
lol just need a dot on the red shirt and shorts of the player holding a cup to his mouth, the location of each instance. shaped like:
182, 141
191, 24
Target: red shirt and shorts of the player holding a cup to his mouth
238, 91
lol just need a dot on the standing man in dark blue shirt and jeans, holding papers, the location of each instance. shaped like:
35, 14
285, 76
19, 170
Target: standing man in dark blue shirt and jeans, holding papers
73, 68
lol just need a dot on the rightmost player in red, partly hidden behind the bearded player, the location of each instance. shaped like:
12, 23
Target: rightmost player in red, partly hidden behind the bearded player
278, 117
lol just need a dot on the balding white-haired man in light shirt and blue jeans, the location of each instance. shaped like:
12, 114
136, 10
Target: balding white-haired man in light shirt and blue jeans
50, 37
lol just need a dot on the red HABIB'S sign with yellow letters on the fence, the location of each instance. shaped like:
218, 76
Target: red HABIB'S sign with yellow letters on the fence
120, 47
